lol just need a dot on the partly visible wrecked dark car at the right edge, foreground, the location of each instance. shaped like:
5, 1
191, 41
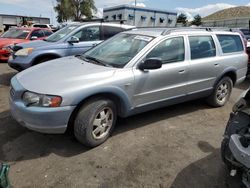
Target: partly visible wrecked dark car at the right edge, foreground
235, 144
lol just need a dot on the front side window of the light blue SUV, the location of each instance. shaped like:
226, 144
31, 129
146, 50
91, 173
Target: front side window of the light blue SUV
88, 34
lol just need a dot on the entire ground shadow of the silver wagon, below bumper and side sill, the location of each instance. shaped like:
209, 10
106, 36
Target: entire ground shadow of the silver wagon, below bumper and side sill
18, 143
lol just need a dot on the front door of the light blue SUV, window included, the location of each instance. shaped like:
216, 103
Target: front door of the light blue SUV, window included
88, 36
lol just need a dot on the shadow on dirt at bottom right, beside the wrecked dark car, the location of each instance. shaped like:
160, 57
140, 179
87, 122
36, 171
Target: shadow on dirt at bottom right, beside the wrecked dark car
207, 172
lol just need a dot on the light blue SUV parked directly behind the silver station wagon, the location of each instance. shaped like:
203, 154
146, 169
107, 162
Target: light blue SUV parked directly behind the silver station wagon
71, 40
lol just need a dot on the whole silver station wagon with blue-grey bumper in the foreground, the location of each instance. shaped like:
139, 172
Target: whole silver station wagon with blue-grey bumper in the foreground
133, 72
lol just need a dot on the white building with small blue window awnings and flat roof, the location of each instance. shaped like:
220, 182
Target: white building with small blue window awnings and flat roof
140, 16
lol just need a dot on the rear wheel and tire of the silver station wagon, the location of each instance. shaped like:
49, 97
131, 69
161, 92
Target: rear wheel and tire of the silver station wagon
221, 93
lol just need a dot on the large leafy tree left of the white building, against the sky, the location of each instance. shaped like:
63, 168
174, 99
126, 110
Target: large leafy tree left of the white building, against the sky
74, 9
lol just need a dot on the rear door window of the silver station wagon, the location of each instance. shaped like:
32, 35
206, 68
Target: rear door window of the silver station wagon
202, 47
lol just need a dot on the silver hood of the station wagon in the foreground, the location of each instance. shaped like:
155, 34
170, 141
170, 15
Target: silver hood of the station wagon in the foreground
63, 75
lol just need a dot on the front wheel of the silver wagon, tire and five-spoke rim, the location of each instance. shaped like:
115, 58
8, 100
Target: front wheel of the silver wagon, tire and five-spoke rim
95, 121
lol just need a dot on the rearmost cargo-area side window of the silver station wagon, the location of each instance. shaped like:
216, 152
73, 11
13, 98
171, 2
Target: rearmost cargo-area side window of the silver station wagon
230, 43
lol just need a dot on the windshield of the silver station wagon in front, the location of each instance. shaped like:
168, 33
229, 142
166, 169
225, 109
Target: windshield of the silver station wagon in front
119, 50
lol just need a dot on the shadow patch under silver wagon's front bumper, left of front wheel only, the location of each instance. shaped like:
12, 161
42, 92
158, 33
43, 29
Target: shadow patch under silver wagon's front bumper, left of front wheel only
18, 143
